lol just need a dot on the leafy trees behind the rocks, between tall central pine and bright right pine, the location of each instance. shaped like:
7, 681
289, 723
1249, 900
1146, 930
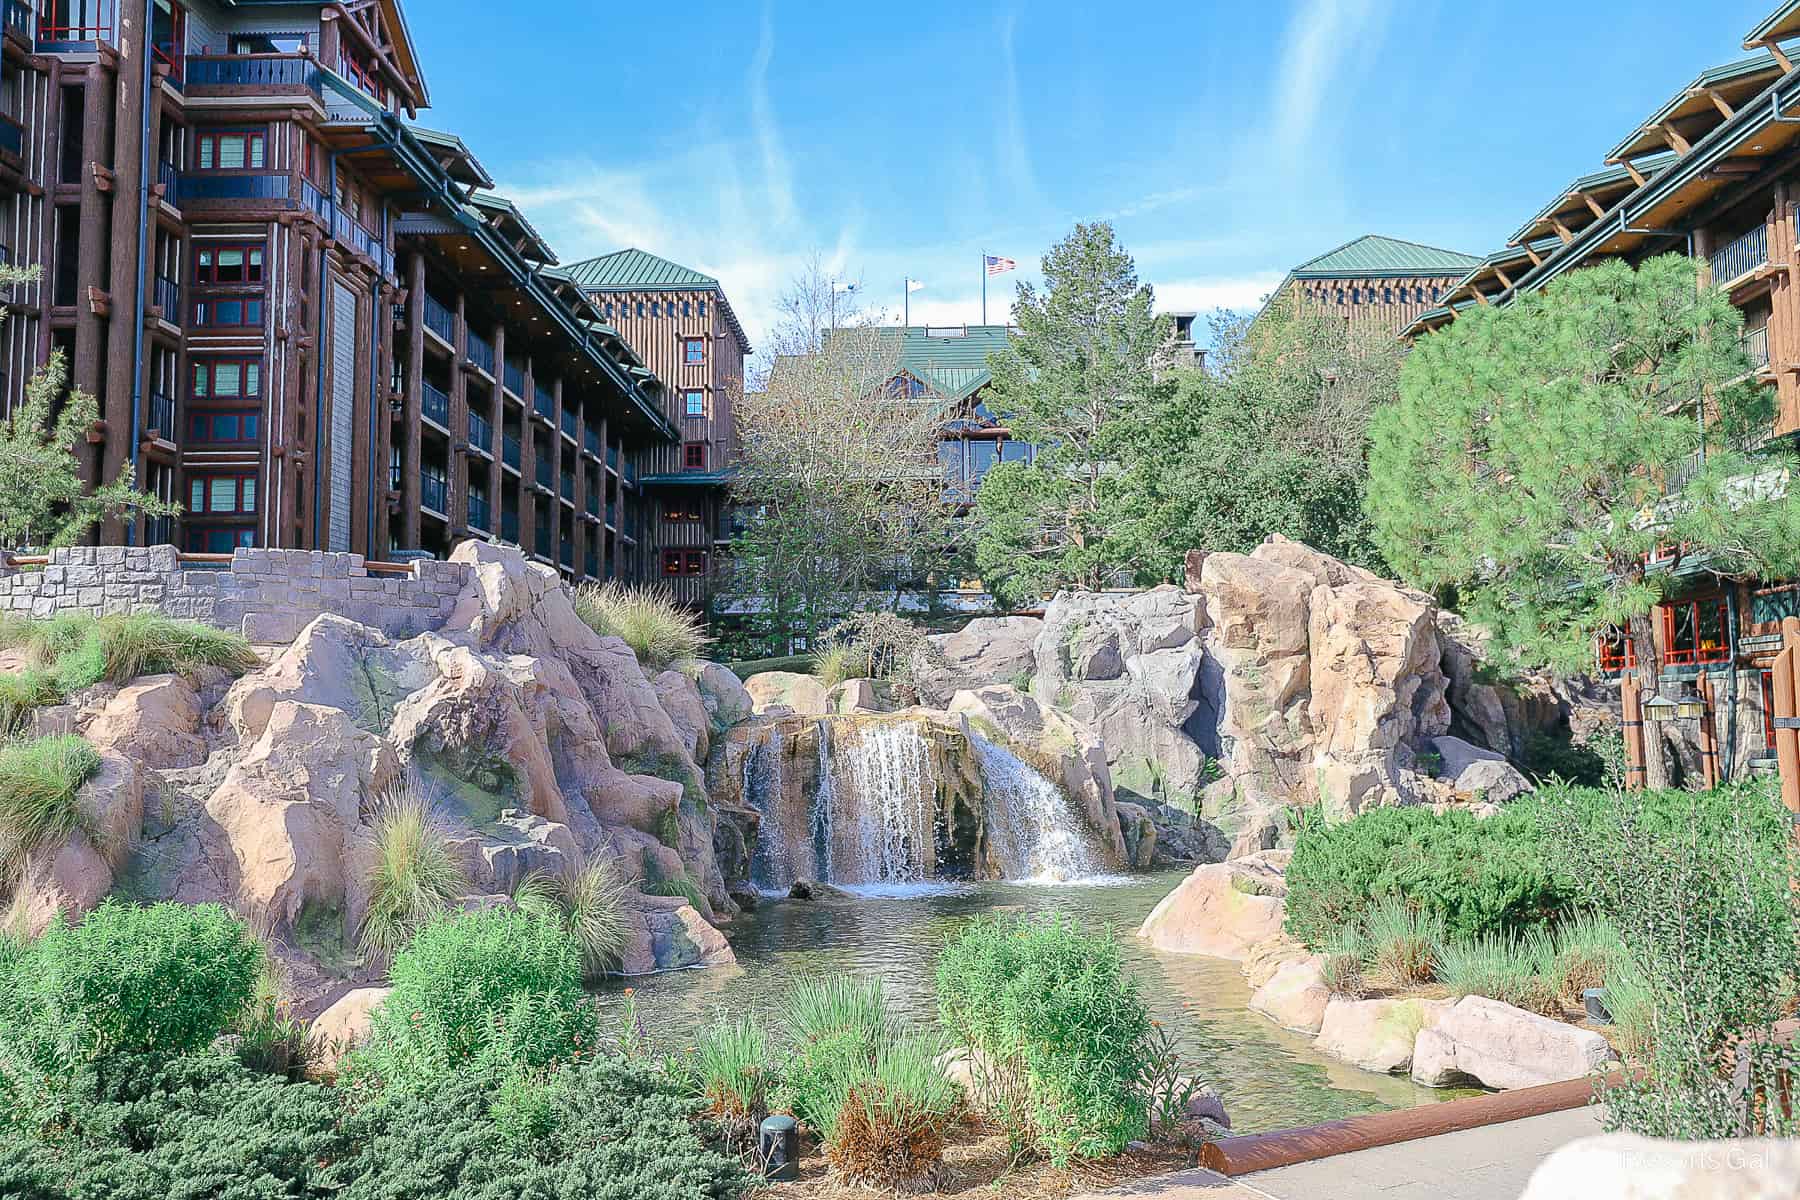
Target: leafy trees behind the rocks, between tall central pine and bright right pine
1270, 440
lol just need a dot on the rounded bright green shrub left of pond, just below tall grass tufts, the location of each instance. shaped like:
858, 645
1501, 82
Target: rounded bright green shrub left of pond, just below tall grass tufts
481, 990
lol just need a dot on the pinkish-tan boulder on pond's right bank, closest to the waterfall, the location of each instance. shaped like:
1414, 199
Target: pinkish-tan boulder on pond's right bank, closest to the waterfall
1221, 911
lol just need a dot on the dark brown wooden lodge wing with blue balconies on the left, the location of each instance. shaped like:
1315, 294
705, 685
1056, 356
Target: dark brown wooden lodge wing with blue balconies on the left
305, 318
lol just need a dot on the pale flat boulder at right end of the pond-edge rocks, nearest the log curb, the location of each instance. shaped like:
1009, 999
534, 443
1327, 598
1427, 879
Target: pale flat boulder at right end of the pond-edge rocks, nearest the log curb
1504, 1048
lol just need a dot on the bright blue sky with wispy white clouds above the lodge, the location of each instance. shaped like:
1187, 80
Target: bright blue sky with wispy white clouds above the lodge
1225, 141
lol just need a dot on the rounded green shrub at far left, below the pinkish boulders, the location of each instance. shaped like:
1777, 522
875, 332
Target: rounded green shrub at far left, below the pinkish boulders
159, 981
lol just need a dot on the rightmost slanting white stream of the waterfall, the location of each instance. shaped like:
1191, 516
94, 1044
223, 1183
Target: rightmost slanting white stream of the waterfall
1032, 828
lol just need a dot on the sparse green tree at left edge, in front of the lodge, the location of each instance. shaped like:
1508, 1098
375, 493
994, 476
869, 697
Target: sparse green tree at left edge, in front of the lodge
42, 499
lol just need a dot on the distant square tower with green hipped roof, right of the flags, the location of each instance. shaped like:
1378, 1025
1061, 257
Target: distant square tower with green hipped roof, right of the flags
1376, 280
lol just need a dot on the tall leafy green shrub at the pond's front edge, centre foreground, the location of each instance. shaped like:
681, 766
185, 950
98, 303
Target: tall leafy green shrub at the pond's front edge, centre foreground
1052, 1007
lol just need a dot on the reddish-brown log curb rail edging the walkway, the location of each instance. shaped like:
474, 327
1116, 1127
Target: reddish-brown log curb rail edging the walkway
1261, 1152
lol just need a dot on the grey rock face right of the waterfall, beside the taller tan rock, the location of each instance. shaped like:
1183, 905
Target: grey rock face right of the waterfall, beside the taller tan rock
1128, 668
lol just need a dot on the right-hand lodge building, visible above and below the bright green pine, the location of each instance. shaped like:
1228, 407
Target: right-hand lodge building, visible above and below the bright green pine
1713, 174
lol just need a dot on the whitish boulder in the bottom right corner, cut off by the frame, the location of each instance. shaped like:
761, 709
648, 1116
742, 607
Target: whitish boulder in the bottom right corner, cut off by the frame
1624, 1167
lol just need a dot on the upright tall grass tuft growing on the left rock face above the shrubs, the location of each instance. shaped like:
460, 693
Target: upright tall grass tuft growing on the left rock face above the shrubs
417, 875
